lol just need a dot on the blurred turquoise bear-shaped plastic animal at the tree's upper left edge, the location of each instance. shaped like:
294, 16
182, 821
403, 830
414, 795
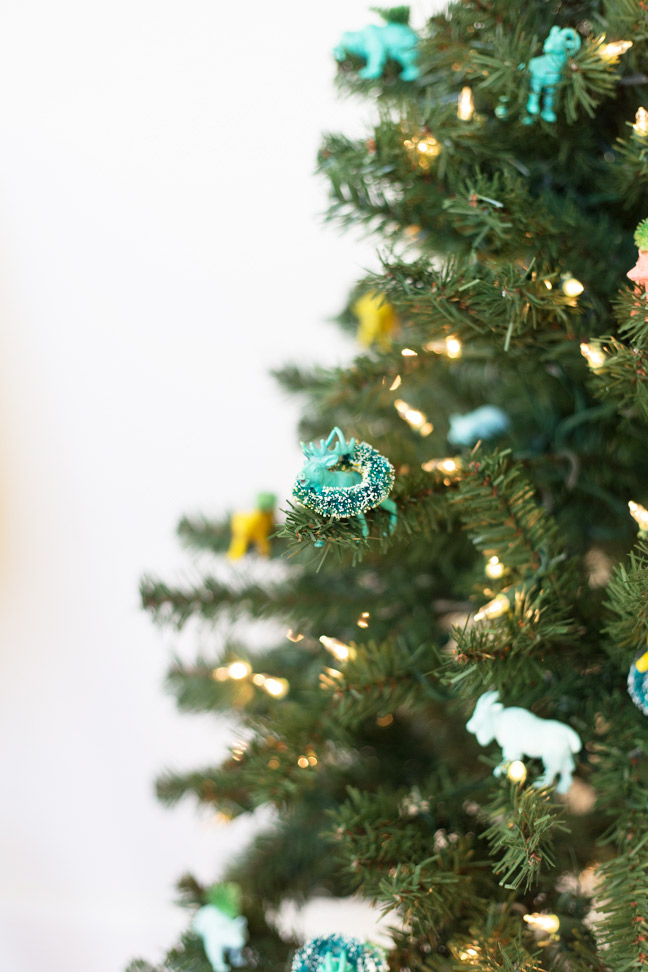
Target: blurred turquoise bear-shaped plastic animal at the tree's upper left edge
394, 40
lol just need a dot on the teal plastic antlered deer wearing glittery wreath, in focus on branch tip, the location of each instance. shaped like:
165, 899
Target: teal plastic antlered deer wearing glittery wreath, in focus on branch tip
341, 479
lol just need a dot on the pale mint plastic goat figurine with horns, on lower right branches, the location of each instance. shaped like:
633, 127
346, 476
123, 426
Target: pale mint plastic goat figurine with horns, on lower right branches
521, 733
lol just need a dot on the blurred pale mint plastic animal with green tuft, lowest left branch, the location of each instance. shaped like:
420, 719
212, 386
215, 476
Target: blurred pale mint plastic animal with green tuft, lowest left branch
222, 929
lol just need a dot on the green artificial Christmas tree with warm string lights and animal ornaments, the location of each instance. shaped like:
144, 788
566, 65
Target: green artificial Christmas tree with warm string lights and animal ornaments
508, 571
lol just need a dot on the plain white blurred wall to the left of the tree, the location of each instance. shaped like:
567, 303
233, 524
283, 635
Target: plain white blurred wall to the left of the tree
160, 249
